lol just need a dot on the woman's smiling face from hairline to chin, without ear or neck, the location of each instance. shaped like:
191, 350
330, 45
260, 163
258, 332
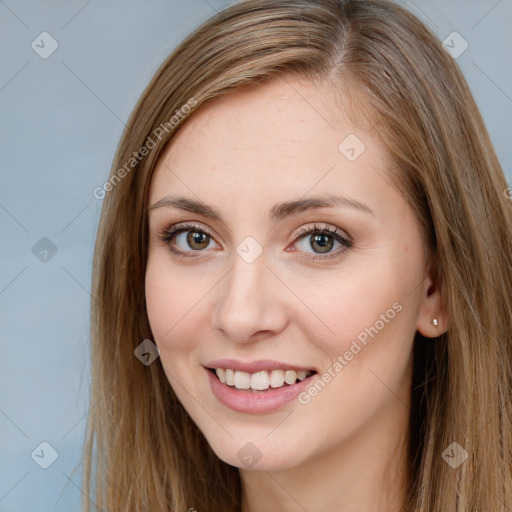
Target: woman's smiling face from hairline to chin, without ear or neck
279, 249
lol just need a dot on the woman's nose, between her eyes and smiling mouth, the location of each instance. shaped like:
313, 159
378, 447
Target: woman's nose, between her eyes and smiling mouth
250, 304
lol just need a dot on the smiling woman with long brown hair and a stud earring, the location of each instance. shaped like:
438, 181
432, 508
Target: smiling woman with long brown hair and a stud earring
302, 276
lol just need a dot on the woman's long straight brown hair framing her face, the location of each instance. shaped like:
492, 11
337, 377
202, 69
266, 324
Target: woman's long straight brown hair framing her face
143, 452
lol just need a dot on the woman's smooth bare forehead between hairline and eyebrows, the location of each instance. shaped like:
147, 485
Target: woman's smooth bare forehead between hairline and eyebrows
284, 137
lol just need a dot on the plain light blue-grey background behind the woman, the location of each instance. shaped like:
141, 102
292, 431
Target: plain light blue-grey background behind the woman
60, 121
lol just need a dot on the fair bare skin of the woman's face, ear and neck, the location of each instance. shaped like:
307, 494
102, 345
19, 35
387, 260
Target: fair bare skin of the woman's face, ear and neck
241, 154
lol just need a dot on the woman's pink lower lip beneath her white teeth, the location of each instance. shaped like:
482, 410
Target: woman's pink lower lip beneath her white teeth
255, 402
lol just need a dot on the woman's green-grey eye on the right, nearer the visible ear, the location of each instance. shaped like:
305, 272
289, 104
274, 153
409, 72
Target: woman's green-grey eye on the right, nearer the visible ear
322, 240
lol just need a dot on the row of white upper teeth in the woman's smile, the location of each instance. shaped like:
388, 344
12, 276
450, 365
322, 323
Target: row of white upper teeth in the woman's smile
260, 381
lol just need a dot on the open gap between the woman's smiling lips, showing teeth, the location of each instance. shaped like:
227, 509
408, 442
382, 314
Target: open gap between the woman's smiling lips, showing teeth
263, 381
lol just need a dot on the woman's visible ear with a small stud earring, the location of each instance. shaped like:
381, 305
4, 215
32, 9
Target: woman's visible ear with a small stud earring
432, 306
